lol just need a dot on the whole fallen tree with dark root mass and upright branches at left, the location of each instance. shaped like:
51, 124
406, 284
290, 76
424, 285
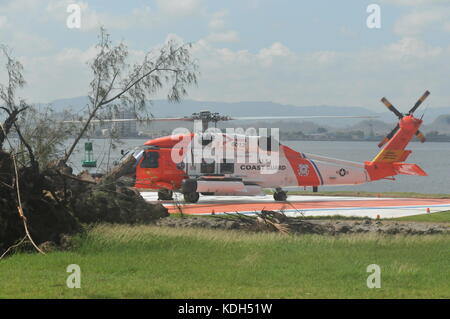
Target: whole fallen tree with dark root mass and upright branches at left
41, 200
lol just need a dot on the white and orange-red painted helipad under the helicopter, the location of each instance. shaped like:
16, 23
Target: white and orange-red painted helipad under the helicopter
306, 205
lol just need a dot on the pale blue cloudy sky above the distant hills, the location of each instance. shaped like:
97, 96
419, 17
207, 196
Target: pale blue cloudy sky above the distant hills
304, 53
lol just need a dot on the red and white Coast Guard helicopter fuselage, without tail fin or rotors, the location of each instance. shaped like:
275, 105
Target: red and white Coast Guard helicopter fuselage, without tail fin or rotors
168, 162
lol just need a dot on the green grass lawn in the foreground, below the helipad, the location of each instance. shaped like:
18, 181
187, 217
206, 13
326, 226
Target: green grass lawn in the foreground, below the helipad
152, 262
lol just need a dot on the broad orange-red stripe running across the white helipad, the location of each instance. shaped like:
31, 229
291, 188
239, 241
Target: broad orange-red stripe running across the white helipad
223, 207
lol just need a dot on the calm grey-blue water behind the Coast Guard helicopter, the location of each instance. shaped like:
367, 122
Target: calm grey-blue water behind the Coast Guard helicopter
432, 157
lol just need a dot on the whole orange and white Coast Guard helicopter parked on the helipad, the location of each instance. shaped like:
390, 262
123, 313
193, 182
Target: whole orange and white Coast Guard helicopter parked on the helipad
169, 164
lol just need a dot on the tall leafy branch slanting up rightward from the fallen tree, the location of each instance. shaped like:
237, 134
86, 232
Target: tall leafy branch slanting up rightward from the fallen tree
115, 82
